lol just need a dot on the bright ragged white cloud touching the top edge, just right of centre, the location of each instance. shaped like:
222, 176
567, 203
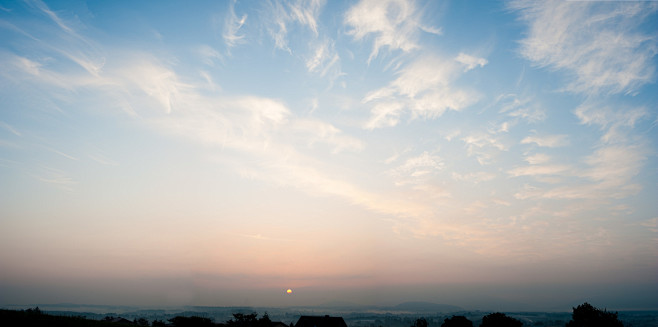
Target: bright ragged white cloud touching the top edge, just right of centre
394, 24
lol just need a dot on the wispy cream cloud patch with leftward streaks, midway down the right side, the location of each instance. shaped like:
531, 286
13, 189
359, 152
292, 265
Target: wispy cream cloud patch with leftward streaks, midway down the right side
607, 172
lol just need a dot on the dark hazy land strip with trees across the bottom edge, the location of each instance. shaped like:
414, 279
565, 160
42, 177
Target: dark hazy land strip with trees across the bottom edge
583, 316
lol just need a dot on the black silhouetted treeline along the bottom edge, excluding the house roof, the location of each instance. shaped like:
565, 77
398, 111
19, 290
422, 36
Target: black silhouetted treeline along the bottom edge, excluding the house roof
584, 315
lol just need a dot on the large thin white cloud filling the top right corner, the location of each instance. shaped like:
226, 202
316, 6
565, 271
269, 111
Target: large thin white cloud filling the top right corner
596, 41
